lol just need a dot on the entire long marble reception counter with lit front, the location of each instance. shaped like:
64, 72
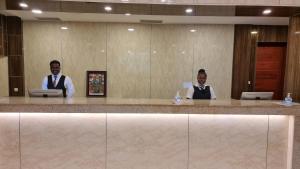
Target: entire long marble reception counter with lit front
93, 133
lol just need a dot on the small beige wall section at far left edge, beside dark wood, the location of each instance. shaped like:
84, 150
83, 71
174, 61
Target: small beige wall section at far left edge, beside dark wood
4, 90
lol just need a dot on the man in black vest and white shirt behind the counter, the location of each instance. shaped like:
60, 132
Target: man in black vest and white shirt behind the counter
58, 81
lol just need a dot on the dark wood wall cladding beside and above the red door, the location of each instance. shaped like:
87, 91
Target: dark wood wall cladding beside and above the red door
245, 43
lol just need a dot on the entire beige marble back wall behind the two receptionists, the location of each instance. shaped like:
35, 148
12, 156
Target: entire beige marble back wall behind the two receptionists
151, 62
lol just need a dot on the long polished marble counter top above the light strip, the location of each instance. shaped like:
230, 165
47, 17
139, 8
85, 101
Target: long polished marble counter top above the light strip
113, 105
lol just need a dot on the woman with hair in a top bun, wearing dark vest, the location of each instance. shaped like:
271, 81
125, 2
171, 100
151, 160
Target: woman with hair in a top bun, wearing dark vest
200, 90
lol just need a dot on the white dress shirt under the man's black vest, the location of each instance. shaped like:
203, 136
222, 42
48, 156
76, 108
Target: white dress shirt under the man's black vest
70, 90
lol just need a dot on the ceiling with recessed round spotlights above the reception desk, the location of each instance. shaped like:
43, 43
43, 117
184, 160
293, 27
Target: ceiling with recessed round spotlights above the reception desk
171, 13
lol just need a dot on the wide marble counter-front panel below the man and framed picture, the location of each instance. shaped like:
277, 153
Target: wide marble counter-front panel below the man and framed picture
63, 141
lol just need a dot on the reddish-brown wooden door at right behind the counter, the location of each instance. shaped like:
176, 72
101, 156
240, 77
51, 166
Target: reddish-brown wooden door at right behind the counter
269, 70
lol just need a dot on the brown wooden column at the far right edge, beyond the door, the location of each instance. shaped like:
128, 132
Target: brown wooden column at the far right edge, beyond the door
292, 78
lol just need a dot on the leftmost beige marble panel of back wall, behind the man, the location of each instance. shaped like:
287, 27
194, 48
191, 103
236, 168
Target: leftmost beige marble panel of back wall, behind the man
42, 43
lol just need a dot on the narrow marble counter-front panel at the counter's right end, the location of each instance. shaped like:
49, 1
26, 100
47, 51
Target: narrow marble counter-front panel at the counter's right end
278, 140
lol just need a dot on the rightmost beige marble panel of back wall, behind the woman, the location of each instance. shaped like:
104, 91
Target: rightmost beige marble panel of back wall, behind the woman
213, 51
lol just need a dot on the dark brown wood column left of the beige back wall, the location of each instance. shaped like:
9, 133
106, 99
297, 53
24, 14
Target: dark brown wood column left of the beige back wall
15, 56
